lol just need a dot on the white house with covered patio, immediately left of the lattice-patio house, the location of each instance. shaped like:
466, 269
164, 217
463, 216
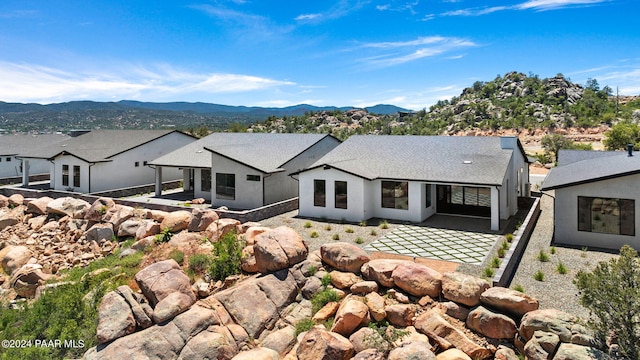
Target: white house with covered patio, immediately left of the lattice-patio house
246, 170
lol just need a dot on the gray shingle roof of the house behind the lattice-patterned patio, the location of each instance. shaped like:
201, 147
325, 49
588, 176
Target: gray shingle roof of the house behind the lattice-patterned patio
447, 159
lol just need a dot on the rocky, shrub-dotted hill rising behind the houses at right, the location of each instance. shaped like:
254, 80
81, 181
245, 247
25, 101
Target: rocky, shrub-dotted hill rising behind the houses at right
514, 101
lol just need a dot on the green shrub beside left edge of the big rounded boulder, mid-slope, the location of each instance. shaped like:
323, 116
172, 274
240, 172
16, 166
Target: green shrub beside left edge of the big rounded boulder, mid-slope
227, 258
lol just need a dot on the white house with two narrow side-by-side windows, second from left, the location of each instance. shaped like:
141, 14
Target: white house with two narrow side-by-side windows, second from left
103, 160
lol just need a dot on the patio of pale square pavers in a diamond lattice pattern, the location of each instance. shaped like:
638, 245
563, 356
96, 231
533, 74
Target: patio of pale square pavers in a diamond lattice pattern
437, 243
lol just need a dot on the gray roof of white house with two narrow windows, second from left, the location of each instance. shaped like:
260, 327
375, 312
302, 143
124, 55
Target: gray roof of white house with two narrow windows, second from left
99, 145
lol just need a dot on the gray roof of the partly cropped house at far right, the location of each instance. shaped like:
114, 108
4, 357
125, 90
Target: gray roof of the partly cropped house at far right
593, 168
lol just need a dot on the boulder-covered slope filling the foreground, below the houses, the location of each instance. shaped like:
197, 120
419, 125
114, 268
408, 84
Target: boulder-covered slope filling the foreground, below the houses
334, 303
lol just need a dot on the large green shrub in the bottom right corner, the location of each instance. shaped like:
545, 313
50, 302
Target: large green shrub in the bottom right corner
611, 294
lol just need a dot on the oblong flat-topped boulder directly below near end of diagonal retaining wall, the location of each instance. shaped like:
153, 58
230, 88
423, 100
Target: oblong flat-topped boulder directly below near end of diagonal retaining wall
509, 301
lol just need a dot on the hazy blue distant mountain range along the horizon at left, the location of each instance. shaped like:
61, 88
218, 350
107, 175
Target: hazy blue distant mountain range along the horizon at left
128, 114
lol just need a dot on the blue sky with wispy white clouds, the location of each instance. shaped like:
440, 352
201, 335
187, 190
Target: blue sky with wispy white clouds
281, 53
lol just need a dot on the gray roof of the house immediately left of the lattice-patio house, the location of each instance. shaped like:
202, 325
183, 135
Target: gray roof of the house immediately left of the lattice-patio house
265, 152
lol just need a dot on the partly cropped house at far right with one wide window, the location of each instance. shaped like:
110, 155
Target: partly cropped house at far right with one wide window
596, 198
